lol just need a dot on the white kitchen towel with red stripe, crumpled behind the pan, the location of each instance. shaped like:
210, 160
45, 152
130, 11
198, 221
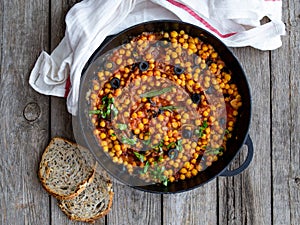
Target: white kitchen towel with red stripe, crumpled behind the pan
89, 22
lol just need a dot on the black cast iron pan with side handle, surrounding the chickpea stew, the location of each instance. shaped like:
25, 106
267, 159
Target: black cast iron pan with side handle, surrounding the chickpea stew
234, 145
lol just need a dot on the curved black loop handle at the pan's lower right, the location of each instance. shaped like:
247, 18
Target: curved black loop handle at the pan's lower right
227, 172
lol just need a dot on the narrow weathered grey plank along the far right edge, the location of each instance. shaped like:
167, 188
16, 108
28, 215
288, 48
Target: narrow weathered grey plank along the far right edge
286, 121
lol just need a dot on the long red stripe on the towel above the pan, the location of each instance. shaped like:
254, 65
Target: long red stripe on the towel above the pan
203, 21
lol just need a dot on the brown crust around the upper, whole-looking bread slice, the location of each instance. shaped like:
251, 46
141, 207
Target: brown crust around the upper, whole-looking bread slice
45, 170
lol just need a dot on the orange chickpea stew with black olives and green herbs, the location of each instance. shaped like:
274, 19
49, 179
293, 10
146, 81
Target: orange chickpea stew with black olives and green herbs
163, 106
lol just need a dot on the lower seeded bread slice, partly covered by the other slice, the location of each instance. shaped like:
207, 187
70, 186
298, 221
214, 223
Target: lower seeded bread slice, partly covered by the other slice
93, 203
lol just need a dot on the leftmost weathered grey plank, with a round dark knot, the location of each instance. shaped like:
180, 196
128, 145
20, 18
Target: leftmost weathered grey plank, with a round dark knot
23, 113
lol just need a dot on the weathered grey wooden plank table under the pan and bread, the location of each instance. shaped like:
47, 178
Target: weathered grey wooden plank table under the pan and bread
268, 192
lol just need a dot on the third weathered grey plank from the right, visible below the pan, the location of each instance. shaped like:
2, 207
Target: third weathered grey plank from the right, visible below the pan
194, 207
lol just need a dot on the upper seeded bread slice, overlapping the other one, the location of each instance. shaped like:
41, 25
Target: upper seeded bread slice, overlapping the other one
66, 169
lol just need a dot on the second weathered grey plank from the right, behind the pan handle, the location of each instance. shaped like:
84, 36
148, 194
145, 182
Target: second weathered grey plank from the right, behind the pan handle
245, 199
